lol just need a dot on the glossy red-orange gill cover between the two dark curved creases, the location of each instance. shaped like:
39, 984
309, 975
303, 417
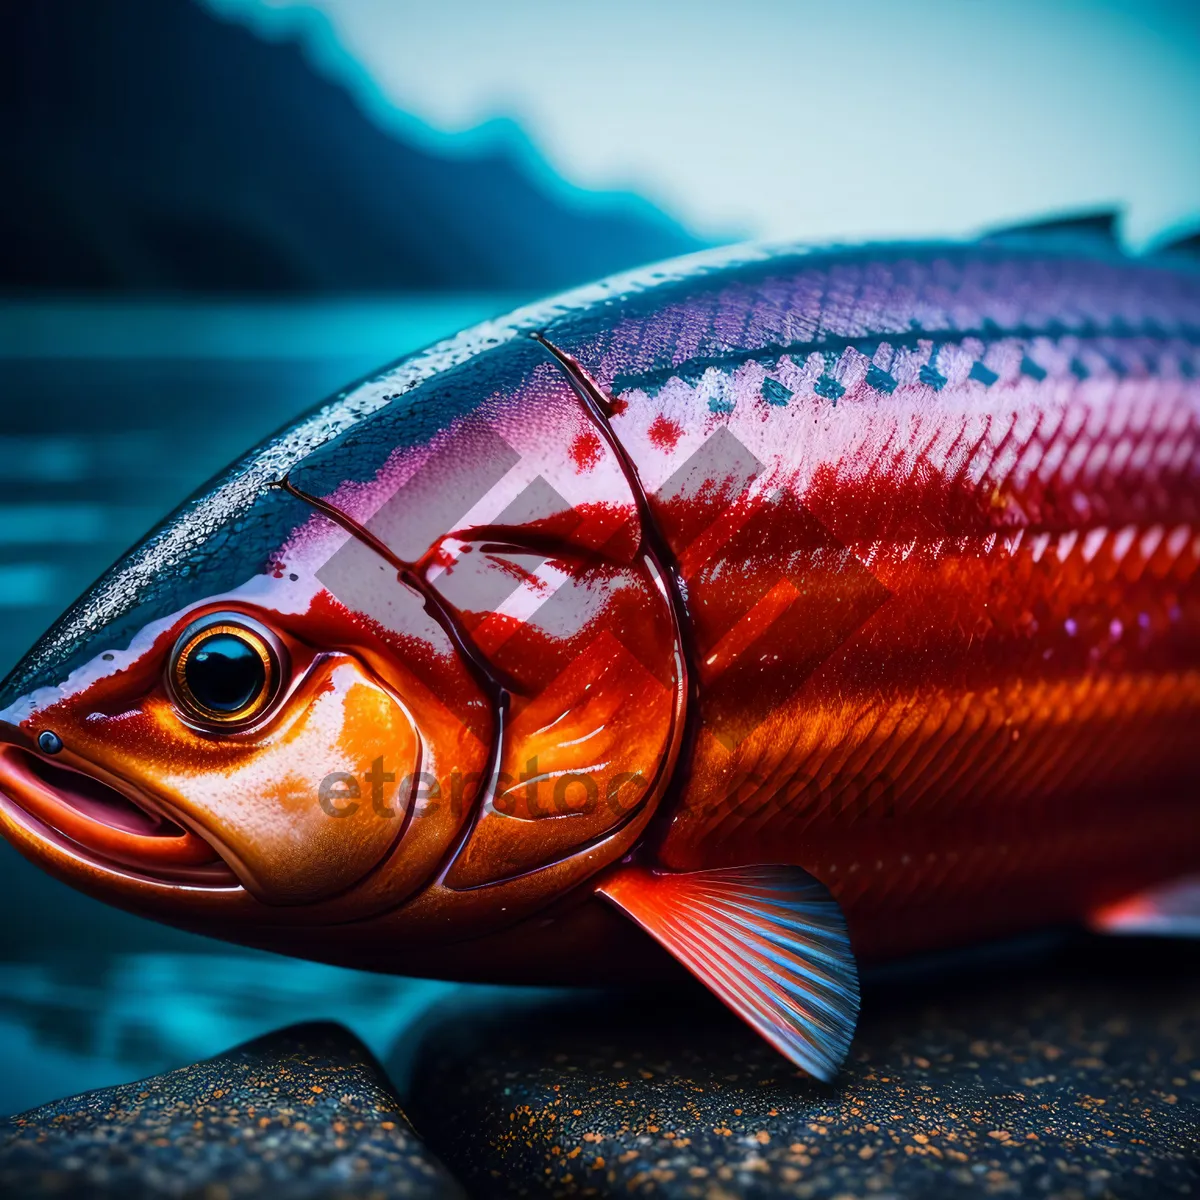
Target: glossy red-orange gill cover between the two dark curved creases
520, 531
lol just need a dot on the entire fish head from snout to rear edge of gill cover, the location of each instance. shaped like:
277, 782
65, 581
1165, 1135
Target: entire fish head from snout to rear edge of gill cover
323, 710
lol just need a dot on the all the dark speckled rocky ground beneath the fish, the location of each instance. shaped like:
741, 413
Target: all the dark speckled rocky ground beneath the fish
1072, 1076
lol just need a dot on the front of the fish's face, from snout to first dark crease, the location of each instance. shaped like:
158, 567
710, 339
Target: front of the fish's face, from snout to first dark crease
230, 743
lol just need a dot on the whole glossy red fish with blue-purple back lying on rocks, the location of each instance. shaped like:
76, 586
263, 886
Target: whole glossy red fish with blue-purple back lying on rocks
760, 615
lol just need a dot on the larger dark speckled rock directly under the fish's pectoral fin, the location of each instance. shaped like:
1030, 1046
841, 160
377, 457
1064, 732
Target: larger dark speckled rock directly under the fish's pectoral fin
1076, 1079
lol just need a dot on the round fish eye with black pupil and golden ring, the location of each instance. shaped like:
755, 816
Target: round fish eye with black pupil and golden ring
226, 670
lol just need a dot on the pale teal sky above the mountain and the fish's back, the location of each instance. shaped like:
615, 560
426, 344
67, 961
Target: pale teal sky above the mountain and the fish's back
791, 119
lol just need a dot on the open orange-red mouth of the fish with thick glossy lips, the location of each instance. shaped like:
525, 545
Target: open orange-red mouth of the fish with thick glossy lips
112, 829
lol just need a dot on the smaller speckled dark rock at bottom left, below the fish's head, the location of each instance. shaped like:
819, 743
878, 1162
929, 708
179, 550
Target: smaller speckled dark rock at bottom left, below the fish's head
304, 1113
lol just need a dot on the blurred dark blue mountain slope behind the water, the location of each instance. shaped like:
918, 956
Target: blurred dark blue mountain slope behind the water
153, 147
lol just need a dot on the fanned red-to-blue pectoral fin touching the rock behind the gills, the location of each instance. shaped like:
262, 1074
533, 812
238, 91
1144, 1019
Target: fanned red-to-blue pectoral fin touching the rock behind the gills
770, 941
